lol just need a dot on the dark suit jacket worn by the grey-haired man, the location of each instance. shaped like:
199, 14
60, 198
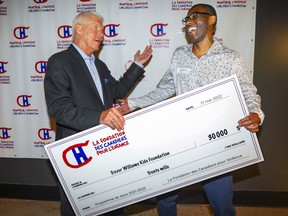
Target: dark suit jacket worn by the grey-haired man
71, 95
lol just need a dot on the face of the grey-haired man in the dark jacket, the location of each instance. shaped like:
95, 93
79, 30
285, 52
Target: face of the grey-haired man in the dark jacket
90, 34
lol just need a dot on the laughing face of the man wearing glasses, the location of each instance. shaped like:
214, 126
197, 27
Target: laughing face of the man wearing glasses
197, 25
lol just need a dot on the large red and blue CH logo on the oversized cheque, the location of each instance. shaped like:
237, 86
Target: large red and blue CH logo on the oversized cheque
78, 154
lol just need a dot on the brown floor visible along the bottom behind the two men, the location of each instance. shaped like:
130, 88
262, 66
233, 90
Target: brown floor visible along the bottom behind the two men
16, 207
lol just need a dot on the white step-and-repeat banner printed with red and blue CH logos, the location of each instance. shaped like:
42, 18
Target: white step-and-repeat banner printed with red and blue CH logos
32, 30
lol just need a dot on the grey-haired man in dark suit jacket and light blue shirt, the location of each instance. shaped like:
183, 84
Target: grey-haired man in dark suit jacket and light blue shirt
79, 88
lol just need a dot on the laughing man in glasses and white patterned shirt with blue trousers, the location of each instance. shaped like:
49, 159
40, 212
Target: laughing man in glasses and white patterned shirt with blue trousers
203, 61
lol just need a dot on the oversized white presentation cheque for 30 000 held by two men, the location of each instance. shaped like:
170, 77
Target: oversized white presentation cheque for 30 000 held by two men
172, 144
